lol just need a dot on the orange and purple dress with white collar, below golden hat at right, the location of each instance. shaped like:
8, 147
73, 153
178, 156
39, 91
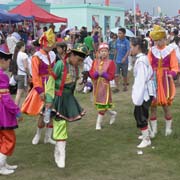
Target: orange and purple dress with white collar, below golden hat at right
165, 67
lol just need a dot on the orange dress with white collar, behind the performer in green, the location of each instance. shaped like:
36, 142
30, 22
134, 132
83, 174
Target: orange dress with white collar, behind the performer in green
42, 63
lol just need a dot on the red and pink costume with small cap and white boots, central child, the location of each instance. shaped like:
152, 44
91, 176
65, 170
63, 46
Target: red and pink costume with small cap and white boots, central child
102, 72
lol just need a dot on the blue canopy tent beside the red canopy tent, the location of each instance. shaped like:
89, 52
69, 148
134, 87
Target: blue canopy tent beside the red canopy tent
6, 17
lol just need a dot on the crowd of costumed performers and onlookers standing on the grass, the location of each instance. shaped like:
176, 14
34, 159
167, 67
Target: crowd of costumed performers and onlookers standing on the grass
46, 70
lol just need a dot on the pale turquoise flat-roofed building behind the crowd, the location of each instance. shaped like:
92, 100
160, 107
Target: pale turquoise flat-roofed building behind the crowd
91, 15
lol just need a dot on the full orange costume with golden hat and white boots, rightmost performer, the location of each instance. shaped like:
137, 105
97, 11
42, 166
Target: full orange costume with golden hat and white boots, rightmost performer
165, 68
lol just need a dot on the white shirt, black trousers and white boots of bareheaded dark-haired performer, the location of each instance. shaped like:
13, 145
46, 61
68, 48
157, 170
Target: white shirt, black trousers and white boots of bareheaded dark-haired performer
143, 91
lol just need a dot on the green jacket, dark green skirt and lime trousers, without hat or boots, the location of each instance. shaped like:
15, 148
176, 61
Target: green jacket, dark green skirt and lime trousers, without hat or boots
60, 92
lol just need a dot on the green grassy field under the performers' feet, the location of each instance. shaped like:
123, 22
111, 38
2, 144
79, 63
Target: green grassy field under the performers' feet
110, 154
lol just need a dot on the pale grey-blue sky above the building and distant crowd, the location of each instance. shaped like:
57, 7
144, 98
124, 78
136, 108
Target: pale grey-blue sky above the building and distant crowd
169, 7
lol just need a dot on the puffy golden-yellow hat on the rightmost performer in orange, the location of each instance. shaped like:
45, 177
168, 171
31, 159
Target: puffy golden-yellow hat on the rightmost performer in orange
157, 33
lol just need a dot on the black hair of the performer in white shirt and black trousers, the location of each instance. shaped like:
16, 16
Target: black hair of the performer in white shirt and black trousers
142, 43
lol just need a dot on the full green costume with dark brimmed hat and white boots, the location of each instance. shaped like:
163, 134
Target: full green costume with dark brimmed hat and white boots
60, 93
